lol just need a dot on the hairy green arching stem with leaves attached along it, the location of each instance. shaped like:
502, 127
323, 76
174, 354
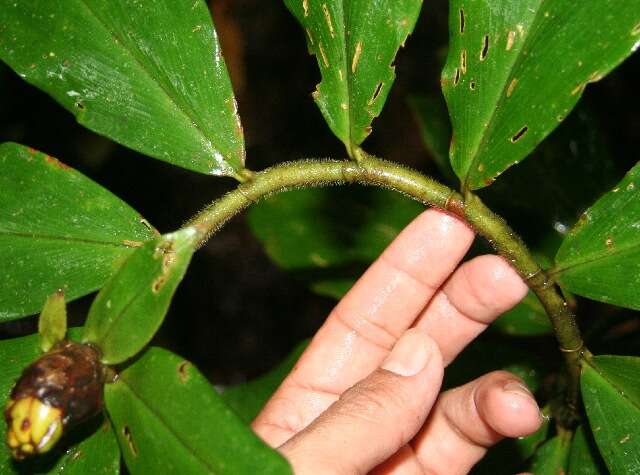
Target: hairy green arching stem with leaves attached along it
373, 171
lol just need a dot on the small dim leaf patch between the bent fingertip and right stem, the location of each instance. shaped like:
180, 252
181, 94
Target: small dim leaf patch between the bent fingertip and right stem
526, 318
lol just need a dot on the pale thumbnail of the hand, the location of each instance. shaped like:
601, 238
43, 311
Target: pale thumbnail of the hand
410, 355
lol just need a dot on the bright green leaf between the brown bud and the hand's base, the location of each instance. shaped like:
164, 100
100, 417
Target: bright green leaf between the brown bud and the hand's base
169, 419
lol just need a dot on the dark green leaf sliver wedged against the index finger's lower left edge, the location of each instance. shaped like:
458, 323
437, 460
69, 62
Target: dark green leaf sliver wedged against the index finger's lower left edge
249, 398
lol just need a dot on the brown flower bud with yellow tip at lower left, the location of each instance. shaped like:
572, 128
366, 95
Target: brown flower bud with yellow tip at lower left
58, 390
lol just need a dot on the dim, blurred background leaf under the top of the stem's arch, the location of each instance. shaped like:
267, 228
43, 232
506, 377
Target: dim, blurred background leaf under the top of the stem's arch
303, 229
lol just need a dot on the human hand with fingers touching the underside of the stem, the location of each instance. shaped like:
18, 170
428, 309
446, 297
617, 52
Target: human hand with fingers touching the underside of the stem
364, 396
